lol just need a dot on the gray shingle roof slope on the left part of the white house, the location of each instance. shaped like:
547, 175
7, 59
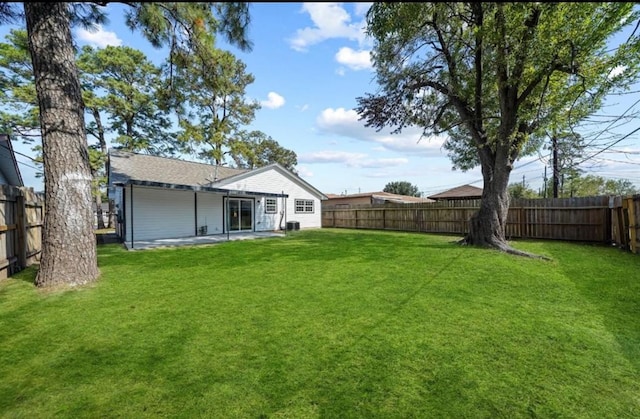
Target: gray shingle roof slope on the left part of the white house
125, 166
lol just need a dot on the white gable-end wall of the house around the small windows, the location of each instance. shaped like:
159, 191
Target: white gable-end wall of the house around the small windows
275, 182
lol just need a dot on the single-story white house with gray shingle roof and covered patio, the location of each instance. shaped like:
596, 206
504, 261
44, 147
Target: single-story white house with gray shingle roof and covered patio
163, 198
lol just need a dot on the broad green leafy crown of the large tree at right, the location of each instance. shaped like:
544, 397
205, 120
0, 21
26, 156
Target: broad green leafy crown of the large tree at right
495, 76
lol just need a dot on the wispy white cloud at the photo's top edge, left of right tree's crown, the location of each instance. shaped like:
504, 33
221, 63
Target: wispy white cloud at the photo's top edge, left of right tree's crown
330, 20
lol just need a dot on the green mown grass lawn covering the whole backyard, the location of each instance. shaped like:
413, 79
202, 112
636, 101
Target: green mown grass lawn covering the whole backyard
329, 324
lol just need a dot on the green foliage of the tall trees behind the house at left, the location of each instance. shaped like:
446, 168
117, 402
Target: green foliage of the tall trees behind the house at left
127, 98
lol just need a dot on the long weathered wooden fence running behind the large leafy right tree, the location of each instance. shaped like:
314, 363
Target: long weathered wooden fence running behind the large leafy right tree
600, 219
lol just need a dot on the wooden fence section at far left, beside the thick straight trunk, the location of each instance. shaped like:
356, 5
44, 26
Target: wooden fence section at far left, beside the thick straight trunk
21, 221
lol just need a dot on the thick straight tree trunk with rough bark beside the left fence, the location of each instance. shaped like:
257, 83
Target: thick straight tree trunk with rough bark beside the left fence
68, 243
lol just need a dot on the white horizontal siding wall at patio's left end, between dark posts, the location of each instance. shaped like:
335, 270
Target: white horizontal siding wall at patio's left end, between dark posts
160, 213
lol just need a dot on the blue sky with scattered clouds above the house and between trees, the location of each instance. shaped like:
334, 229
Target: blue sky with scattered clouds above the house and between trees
311, 62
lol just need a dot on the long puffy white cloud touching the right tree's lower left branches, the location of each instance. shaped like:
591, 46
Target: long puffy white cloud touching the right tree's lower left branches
346, 123
